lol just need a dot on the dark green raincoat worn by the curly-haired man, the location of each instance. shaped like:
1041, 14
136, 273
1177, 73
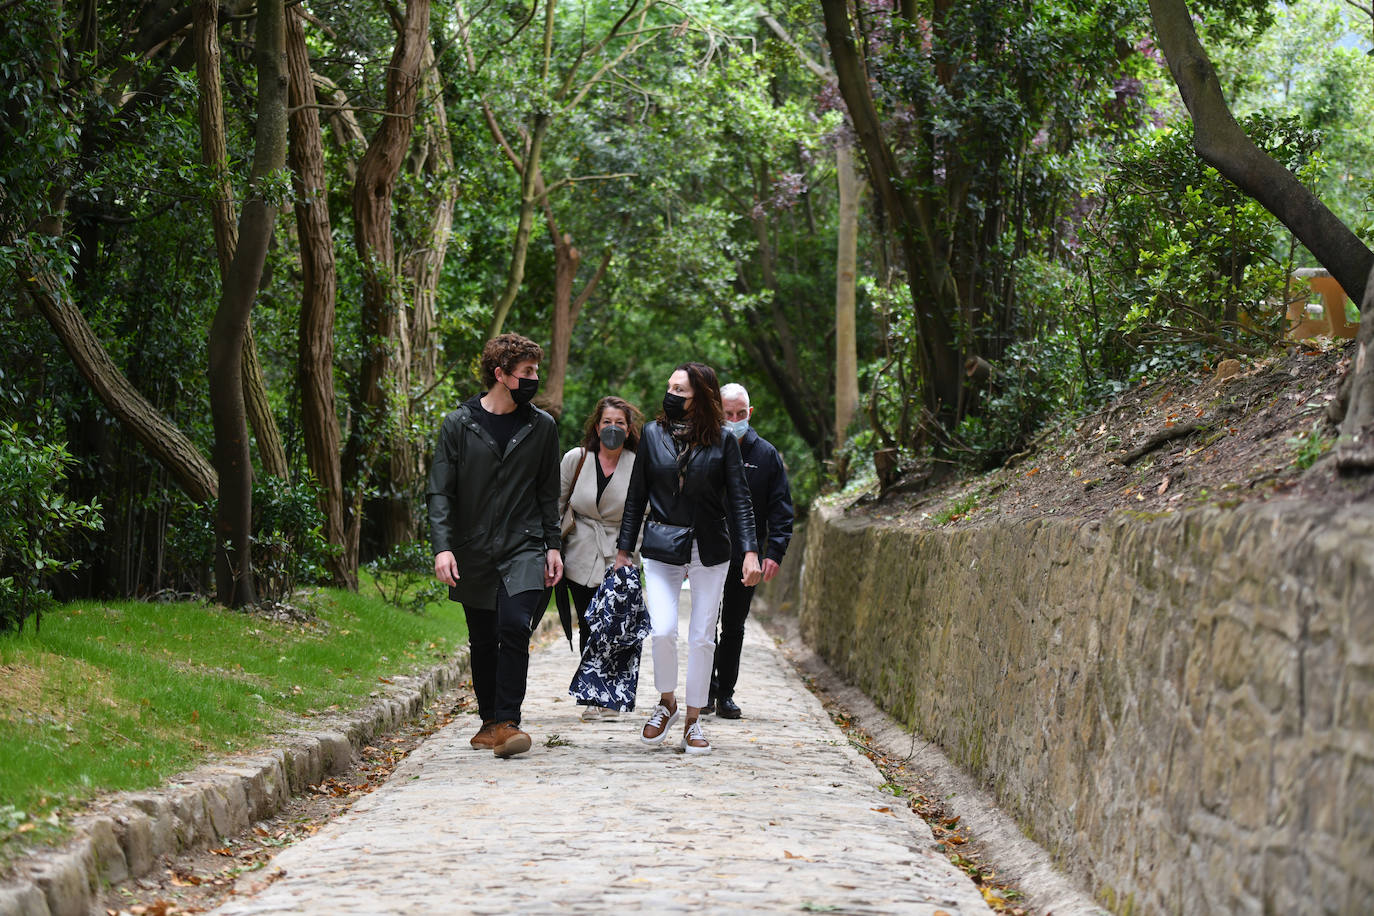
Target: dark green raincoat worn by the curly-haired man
495, 510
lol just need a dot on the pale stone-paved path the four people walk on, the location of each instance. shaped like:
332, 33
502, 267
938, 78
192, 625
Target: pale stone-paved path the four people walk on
784, 816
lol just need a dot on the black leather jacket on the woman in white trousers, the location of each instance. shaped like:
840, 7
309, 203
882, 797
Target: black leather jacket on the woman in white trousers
714, 499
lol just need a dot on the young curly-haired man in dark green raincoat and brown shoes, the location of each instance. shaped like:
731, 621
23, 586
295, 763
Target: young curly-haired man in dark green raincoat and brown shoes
495, 532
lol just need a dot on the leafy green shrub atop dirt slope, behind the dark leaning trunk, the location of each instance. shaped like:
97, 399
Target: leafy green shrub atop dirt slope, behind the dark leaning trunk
1182, 259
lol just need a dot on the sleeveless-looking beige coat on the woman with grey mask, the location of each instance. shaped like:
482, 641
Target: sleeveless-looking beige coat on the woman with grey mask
592, 546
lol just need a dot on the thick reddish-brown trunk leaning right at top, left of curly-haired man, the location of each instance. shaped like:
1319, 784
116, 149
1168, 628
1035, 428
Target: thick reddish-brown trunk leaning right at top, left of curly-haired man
387, 350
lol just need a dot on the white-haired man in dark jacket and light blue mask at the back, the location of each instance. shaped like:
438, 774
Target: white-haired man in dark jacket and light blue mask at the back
773, 525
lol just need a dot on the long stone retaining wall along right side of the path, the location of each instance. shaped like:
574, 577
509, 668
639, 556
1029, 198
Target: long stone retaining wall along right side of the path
1181, 709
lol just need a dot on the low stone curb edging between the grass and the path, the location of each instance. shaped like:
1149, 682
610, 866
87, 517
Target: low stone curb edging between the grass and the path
133, 832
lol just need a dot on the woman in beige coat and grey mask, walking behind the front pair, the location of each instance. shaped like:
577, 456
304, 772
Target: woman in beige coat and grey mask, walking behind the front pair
594, 480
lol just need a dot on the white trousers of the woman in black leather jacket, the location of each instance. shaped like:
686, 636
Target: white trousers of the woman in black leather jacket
663, 586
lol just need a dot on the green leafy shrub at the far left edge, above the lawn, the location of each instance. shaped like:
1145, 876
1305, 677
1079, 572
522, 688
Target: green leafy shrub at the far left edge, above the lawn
35, 523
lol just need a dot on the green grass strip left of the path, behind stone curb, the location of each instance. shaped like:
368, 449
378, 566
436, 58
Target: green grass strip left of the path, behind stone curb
122, 696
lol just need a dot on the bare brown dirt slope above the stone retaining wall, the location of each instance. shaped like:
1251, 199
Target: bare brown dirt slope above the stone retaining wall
1167, 446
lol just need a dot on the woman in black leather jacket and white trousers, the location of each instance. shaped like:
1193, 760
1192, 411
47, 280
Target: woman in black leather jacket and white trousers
690, 481
